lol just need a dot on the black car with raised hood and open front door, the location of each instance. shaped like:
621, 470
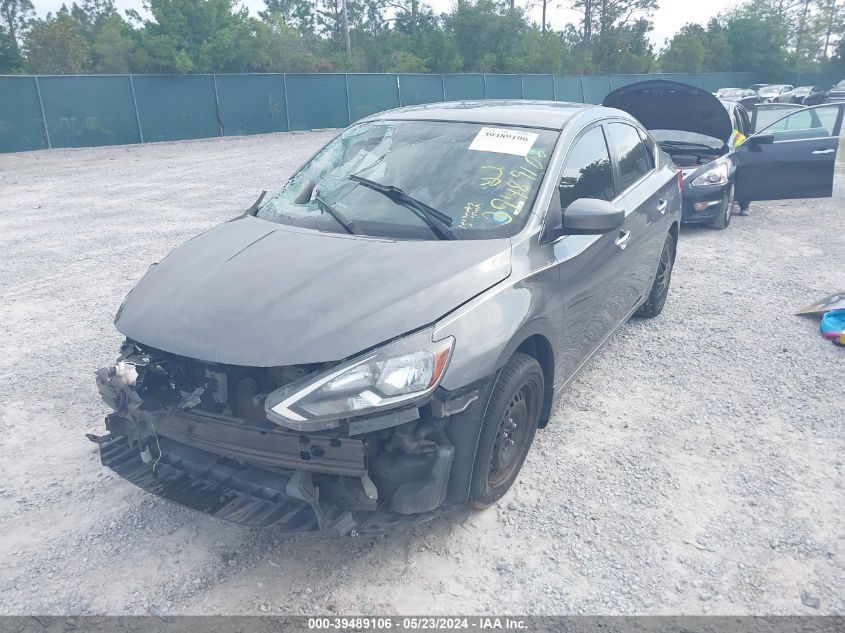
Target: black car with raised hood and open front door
723, 157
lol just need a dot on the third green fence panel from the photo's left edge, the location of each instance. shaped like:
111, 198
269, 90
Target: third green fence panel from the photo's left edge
176, 107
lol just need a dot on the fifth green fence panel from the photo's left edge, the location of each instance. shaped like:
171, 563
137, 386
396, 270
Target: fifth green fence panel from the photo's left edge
317, 101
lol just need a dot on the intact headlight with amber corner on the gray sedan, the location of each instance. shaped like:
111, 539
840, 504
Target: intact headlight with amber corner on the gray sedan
399, 373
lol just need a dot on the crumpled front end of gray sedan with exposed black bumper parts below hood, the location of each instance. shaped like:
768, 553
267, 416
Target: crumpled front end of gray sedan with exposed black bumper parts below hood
197, 433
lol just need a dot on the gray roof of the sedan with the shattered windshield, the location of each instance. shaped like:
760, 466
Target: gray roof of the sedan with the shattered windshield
543, 114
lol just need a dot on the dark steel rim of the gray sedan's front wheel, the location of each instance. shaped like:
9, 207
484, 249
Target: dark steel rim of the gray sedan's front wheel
512, 435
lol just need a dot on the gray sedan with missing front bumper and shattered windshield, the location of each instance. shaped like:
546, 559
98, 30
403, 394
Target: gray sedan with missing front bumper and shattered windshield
382, 338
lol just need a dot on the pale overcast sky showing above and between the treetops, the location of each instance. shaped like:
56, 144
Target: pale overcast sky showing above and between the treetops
671, 15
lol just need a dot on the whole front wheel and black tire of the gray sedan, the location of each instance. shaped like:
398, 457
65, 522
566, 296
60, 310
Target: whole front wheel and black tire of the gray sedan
512, 415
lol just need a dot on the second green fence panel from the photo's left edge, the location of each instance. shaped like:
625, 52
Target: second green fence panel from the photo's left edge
89, 111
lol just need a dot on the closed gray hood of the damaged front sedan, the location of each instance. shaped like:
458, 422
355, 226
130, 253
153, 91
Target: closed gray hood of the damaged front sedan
256, 293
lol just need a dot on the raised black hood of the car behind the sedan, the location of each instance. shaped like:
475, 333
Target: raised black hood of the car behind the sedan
668, 105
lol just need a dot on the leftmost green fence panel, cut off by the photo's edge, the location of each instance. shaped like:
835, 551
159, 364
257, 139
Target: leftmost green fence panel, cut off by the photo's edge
21, 125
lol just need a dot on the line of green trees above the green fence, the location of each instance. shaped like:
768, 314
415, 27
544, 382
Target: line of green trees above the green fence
769, 37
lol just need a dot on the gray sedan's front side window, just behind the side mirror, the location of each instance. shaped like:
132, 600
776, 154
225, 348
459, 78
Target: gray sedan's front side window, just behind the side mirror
587, 173
